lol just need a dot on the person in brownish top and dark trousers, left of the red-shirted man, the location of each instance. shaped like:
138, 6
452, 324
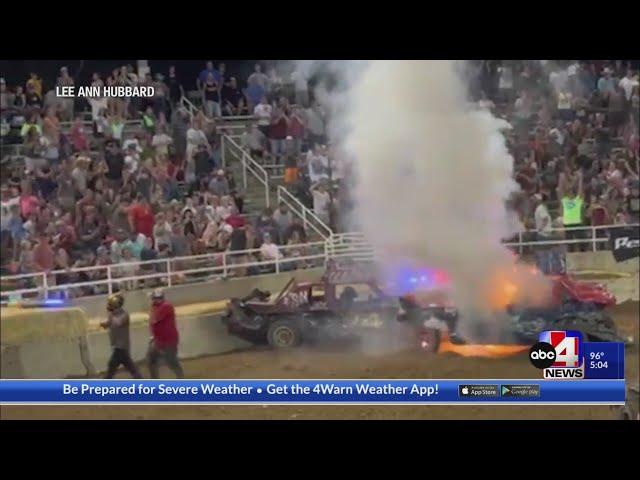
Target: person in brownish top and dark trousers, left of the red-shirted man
118, 325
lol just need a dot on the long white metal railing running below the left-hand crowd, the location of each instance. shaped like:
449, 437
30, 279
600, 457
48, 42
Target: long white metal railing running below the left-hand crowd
172, 270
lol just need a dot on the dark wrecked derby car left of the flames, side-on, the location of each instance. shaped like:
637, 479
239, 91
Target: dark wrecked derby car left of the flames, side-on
345, 304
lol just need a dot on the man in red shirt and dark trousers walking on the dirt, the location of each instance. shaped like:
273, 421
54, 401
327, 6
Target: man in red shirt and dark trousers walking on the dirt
164, 336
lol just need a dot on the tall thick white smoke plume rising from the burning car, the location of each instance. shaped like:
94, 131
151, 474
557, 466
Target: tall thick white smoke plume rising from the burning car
433, 172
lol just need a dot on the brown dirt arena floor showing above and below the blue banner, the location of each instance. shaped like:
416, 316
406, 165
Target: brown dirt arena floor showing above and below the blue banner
313, 363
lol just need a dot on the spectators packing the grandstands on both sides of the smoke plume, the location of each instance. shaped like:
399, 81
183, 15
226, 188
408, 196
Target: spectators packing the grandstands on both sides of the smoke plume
113, 192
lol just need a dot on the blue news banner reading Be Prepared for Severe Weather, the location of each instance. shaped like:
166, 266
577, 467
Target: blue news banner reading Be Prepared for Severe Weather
276, 392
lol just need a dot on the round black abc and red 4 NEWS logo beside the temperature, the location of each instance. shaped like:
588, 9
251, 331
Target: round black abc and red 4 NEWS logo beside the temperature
559, 354
